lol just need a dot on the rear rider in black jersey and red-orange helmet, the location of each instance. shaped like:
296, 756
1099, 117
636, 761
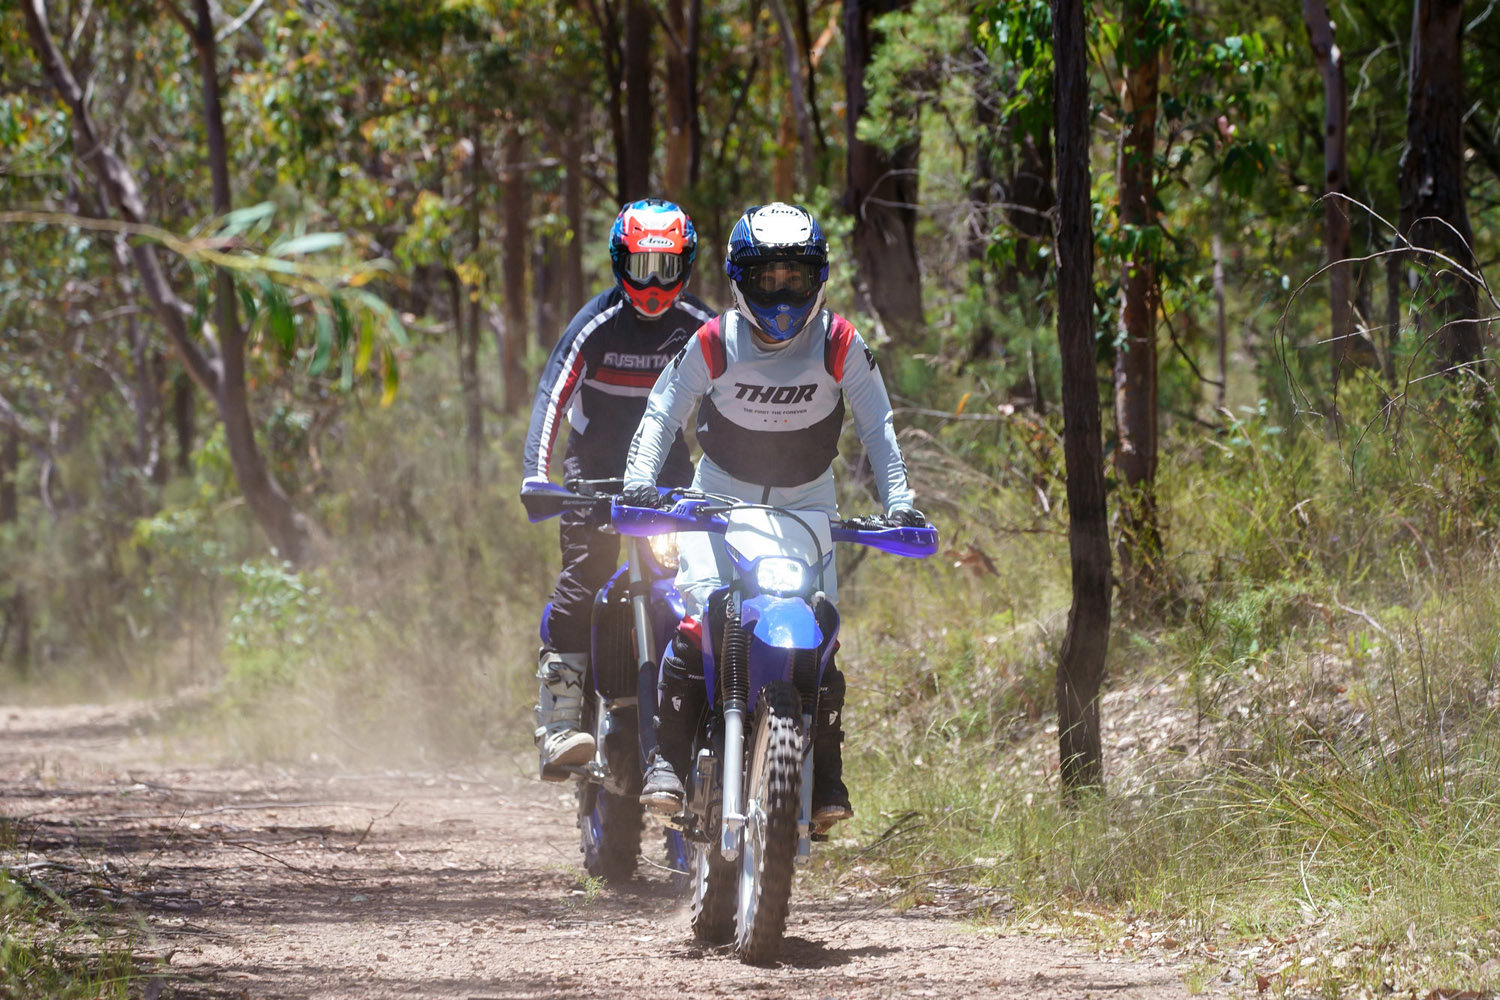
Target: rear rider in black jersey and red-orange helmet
598, 380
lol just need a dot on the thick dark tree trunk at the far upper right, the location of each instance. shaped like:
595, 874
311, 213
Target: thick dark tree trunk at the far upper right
1433, 211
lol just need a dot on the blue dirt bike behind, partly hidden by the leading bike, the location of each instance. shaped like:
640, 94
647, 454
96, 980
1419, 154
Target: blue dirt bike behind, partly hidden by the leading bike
634, 618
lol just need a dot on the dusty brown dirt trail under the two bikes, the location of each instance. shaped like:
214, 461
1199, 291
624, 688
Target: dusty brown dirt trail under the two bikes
262, 882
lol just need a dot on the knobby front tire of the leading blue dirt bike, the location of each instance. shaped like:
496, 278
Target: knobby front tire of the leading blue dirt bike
769, 852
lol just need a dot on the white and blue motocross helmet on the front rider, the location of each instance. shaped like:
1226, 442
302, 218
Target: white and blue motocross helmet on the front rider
778, 266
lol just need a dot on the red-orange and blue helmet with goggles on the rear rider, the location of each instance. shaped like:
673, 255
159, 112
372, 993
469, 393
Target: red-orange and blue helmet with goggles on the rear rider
652, 248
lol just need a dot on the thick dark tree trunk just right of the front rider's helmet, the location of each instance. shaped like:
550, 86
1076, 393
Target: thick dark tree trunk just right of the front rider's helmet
883, 191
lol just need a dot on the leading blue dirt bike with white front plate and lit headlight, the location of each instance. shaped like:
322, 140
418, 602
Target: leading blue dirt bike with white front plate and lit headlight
769, 639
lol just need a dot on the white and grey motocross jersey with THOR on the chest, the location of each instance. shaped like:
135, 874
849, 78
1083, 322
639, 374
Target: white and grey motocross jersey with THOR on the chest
773, 416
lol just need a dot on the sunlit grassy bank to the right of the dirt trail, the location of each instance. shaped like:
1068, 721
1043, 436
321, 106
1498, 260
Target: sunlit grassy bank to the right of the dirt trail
1303, 744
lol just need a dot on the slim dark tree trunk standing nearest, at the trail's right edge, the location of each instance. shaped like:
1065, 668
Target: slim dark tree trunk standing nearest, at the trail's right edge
1081, 668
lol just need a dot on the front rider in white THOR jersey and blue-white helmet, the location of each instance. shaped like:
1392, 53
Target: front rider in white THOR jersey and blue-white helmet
773, 376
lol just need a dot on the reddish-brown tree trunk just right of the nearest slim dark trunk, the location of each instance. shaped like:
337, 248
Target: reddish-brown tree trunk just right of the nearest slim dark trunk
1136, 359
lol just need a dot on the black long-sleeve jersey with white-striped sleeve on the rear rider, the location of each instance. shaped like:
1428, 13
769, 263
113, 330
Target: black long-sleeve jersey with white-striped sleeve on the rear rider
599, 379
